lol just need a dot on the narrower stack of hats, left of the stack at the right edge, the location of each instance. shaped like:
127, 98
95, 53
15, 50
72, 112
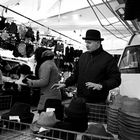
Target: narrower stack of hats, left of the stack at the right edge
112, 114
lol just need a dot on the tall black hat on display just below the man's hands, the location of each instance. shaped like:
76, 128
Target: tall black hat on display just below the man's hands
77, 108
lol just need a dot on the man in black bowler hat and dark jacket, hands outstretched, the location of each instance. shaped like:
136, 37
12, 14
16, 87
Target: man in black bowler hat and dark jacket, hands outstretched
96, 73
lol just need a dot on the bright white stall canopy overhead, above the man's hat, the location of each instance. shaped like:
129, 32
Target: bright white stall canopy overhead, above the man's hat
71, 17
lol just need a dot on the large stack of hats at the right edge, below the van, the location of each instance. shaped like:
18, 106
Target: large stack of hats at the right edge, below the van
129, 119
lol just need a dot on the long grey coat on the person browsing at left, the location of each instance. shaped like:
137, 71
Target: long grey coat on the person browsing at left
48, 75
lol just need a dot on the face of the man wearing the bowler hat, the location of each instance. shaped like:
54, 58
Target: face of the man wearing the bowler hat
92, 45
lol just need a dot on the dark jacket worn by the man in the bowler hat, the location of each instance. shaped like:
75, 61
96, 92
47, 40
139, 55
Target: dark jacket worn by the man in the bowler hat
98, 67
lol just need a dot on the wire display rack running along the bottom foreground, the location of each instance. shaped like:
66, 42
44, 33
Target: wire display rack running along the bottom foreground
9, 130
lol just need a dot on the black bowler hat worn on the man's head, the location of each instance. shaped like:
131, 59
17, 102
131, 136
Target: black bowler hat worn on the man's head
93, 35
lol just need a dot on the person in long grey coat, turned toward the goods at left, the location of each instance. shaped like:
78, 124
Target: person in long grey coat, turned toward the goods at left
47, 74
